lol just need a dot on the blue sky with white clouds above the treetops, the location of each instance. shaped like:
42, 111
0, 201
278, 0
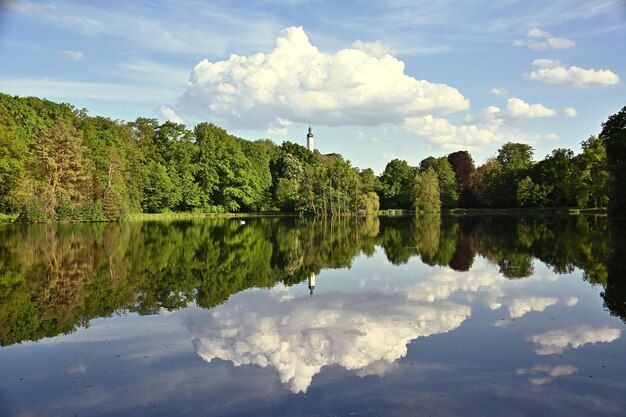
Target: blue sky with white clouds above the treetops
376, 80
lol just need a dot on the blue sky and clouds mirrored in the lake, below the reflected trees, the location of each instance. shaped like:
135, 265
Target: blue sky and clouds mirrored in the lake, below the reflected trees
374, 339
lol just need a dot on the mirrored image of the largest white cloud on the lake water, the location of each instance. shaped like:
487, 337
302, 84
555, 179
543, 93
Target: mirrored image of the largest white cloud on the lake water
364, 333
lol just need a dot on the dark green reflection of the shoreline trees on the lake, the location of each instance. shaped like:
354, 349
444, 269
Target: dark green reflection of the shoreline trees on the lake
55, 278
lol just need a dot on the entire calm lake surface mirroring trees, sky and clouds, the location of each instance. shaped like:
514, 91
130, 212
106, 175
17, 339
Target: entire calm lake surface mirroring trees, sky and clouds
477, 316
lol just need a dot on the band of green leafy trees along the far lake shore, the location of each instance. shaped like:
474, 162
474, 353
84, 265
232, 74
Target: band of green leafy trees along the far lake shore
58, 163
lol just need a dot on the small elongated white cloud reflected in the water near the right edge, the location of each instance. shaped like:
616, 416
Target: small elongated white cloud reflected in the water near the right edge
557, 341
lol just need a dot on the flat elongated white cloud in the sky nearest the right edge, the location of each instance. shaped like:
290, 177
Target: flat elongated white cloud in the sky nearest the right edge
554, 72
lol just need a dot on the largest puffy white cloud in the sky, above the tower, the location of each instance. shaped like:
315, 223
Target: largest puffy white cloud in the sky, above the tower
297, 82
